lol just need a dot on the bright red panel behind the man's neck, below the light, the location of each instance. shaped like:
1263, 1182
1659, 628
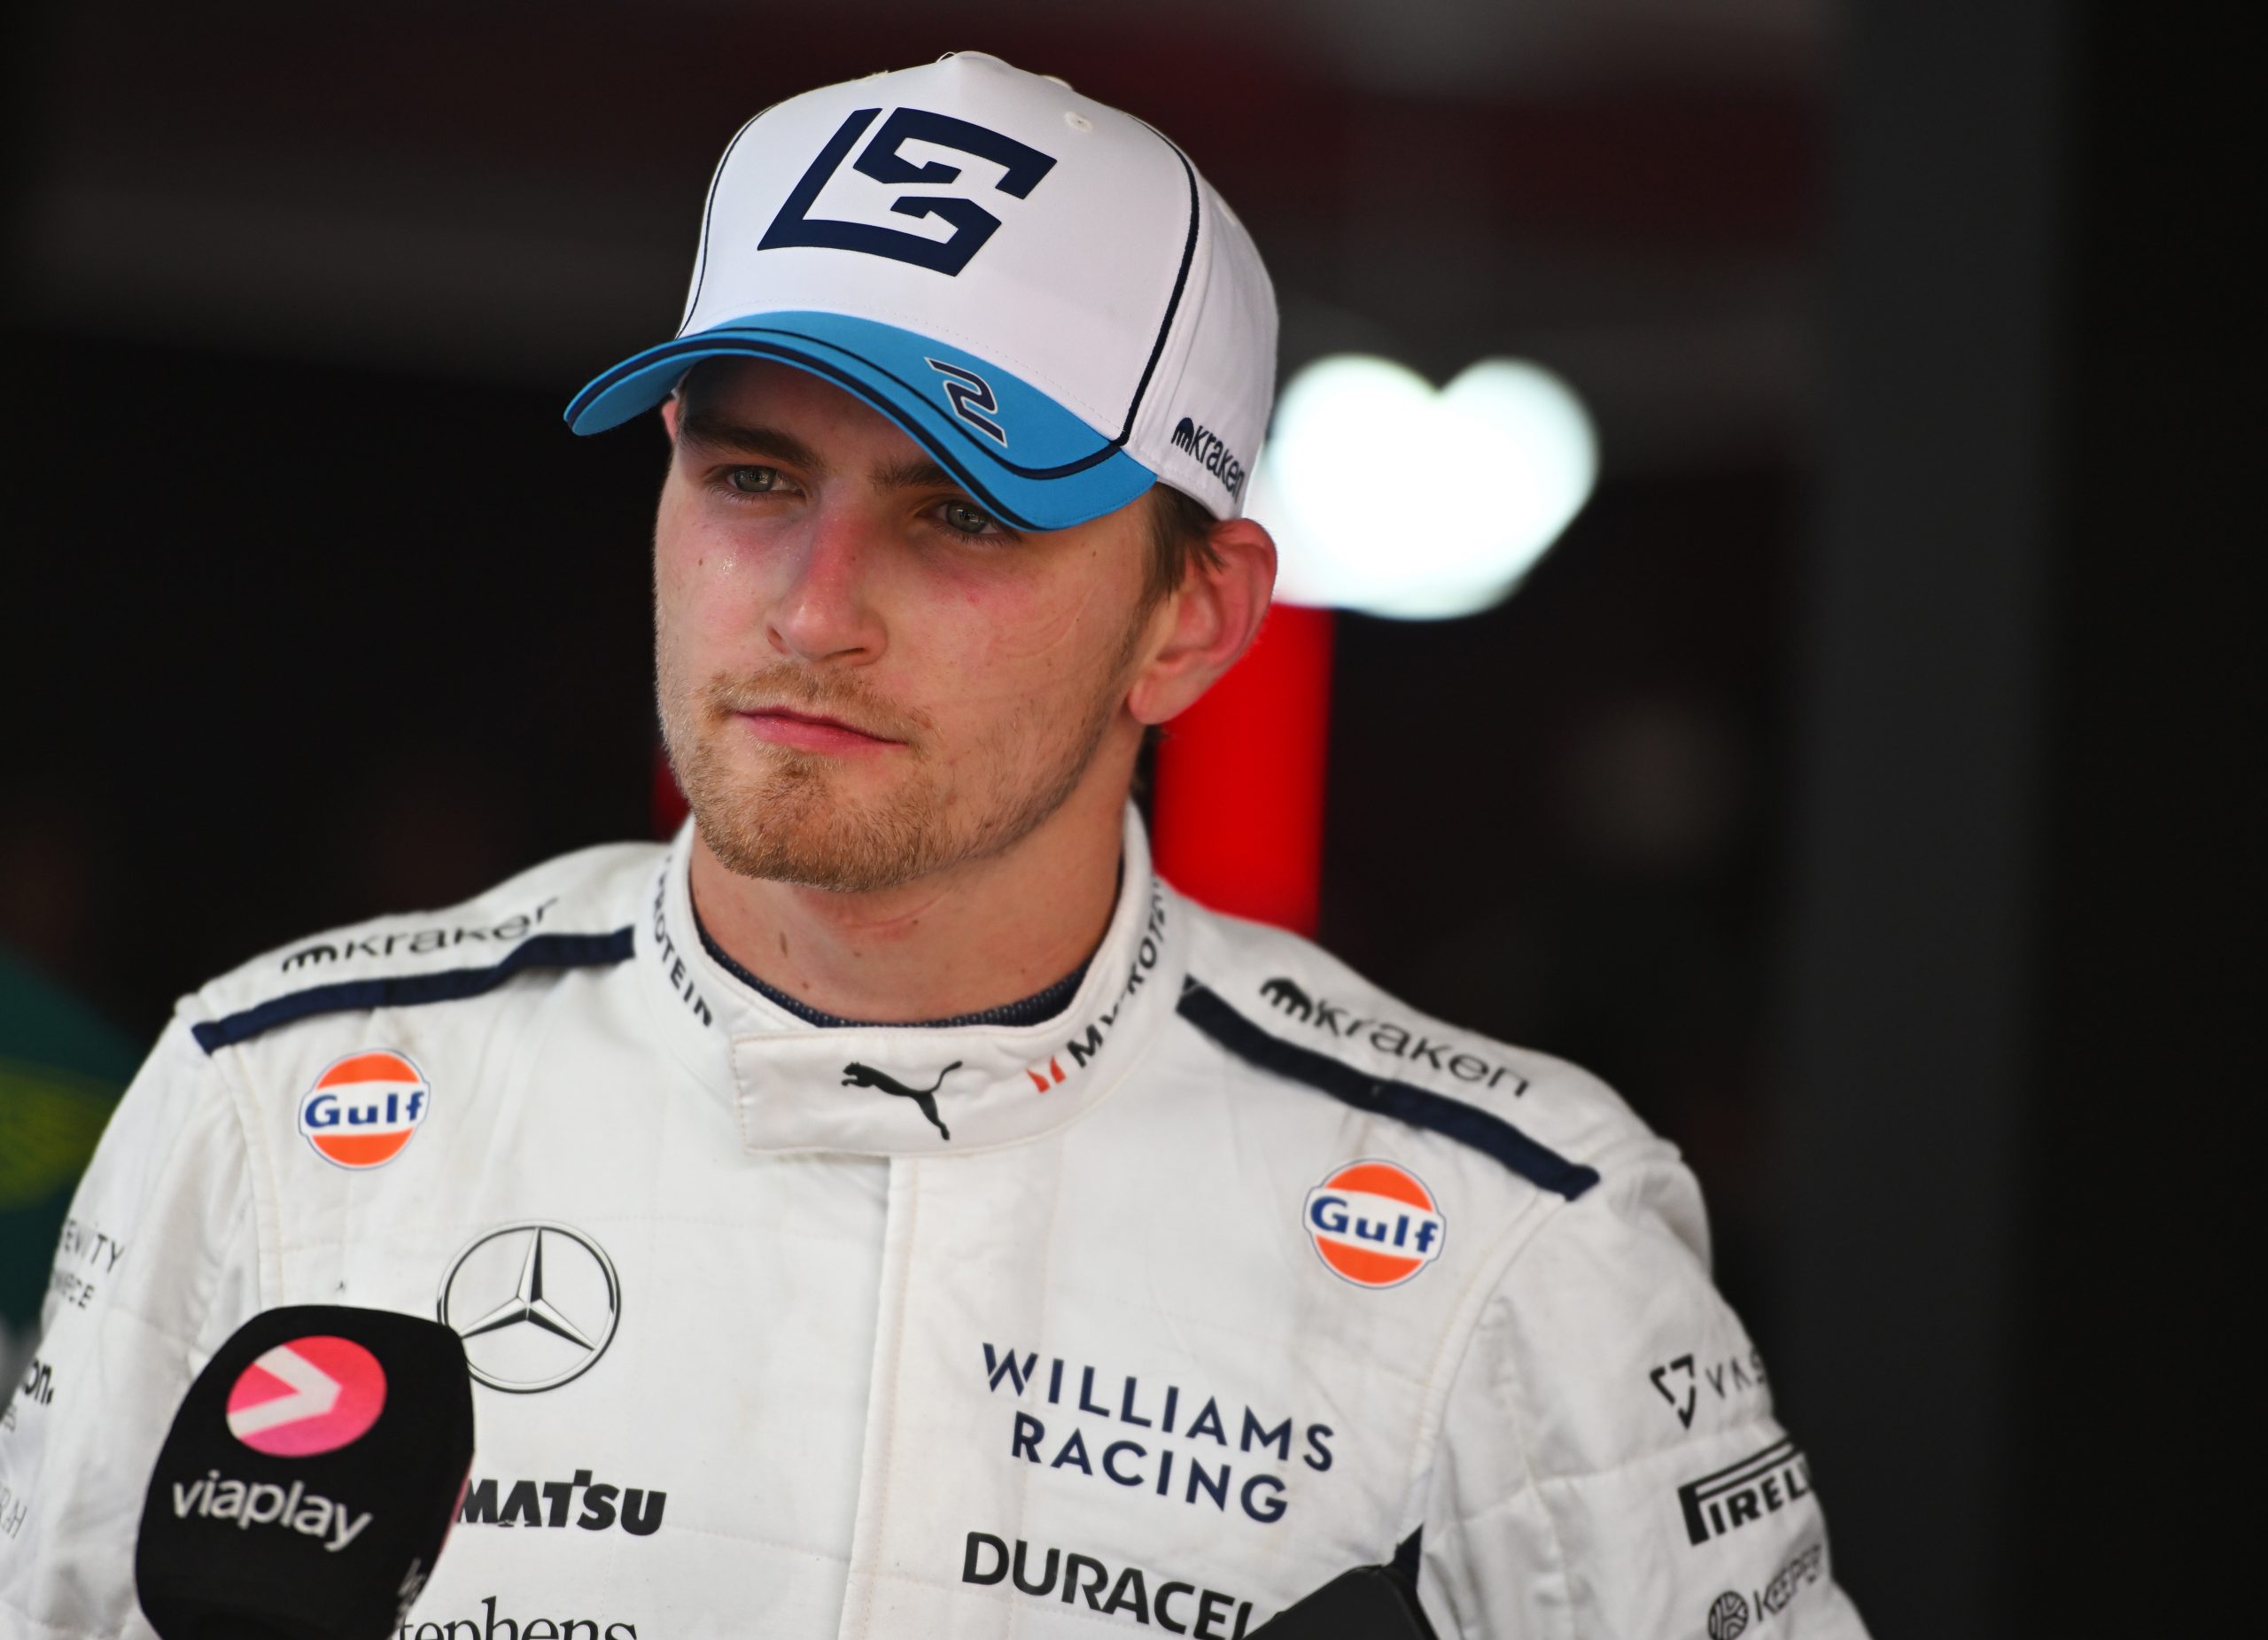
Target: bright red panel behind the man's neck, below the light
1237, 822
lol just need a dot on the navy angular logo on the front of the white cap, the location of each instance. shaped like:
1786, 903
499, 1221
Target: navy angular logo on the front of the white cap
881, 160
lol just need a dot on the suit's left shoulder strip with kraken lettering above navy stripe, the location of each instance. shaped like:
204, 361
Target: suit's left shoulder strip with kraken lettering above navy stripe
568, 913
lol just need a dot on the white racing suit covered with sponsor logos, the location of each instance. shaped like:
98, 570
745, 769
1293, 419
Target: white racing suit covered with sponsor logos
1151, 1319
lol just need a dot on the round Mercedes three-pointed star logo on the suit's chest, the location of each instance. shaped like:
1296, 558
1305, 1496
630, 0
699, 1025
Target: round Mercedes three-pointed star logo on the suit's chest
536, 1303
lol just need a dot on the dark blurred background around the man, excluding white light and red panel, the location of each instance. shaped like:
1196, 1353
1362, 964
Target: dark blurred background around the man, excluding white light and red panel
1856, 784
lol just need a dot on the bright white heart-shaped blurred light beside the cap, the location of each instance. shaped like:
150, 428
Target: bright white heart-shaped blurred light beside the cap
1394, 498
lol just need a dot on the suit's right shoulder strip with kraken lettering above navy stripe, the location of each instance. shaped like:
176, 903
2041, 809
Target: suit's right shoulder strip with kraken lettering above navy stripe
1289, 1006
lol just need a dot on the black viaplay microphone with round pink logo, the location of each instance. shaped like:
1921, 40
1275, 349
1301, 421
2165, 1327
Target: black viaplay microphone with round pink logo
310, 1480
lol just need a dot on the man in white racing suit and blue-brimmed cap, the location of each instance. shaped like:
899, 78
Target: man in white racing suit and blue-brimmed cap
890, 1210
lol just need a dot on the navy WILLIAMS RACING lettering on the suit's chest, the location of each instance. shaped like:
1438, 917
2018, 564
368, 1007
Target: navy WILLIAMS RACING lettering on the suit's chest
1156, 1437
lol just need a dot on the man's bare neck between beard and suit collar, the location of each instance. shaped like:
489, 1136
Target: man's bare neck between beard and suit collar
956, 942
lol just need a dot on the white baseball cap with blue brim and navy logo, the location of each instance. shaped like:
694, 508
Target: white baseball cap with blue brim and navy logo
1033, 285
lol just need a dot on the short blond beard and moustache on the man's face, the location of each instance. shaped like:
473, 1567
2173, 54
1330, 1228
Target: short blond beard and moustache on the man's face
784, 818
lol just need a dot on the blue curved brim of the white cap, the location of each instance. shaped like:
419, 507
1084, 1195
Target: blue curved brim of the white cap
1019, 455
